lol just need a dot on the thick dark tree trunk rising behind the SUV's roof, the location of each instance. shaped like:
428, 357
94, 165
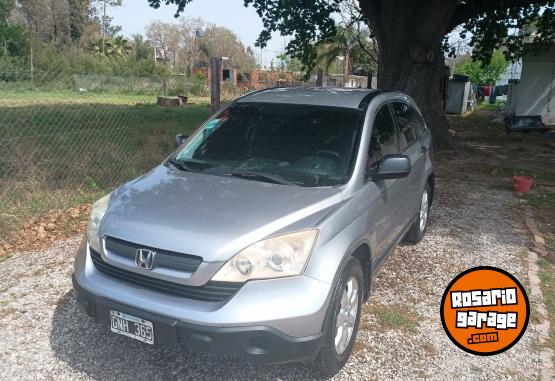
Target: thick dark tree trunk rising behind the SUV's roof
410, 54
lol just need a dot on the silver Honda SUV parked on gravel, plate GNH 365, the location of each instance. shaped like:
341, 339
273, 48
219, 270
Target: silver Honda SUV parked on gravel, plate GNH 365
261, 234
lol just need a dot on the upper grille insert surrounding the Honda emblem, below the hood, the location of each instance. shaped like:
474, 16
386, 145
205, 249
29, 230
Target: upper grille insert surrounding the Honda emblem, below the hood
164, 258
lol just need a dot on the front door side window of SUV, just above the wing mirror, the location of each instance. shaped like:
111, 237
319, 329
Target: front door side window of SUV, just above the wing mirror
383, 140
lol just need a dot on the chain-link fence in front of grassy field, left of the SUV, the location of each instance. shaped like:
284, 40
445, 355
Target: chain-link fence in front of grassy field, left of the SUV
66, 140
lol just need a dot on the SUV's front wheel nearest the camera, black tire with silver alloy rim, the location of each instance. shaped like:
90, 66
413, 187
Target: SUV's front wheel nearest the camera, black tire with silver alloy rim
332, 357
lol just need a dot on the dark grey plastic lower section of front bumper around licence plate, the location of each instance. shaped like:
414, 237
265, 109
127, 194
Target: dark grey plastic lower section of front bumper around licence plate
261, 344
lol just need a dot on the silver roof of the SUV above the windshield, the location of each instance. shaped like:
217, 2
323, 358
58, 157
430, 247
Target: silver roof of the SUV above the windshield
317, 96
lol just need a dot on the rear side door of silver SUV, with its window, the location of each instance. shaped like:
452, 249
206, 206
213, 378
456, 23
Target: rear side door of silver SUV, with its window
411, 146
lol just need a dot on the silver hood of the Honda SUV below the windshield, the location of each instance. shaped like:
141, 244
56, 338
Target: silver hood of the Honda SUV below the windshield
210, 216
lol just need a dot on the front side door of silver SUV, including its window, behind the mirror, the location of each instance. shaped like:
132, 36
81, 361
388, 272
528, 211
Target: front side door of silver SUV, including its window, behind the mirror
386, 195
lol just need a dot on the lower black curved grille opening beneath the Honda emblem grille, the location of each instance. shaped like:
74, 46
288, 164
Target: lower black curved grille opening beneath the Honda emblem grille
210, 292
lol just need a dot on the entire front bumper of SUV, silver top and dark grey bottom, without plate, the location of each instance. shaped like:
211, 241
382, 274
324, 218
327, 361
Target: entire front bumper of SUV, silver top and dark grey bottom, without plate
269, 321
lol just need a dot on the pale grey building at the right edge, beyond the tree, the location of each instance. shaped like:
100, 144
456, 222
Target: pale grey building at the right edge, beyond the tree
534, 93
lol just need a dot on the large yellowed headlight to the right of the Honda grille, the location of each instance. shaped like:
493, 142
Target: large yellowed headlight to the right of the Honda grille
275, 257
